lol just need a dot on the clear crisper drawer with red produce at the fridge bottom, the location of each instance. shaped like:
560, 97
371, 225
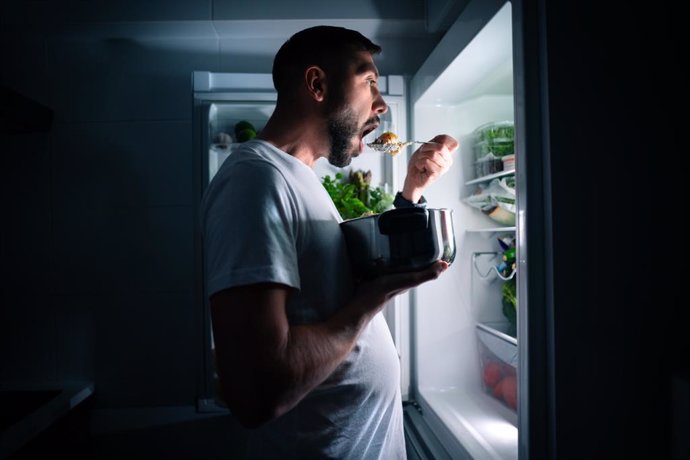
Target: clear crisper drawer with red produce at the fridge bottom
498, 358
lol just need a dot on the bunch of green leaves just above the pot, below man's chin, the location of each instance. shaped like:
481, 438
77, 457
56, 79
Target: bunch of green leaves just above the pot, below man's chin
354, 197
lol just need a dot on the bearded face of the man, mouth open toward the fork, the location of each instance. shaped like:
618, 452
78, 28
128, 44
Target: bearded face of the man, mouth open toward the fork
353, 109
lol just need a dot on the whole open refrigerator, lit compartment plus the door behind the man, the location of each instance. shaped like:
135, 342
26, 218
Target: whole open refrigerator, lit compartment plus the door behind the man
448, 331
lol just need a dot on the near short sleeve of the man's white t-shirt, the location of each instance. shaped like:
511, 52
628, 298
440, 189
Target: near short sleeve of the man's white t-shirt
249, 231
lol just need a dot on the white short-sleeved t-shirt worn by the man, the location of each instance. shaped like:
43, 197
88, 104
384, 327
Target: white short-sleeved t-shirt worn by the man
266, 217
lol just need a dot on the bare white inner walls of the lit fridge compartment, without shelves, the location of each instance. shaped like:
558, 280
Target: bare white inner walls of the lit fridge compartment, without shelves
474, 89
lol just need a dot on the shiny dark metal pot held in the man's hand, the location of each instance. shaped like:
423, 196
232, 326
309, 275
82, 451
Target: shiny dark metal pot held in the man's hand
399, 240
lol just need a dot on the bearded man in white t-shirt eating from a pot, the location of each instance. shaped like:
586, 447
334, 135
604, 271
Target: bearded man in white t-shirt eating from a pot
303, 352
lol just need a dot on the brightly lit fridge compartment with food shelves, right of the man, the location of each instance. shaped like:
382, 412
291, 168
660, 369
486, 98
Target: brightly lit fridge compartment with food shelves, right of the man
467, 351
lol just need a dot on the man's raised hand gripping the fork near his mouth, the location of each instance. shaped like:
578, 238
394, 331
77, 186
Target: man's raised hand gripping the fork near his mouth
427, 164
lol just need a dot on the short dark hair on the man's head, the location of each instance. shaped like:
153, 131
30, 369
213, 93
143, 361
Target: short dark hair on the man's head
329, 47
